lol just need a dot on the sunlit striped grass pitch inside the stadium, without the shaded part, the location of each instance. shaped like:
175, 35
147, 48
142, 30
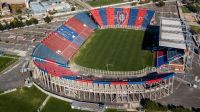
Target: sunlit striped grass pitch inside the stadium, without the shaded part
115, 50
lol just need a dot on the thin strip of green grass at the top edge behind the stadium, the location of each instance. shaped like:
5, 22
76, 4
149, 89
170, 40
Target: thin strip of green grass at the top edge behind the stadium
103, 2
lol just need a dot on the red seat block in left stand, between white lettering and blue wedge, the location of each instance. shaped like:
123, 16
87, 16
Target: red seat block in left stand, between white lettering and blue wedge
56, 43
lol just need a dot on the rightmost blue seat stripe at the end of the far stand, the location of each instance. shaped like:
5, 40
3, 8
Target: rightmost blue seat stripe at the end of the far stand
148, 18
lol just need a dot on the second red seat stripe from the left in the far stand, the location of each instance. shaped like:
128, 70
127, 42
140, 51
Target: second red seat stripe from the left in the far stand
110, 13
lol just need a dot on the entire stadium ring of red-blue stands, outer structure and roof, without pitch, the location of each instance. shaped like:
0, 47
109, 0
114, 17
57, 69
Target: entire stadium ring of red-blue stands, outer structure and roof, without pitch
54, 72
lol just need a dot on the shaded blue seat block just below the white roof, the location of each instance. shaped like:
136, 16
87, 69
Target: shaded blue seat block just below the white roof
173, 53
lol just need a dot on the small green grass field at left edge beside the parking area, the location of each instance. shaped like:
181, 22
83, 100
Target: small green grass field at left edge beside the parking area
6, 61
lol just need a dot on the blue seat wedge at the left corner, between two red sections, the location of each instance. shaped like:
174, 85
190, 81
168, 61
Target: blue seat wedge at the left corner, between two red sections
42, 52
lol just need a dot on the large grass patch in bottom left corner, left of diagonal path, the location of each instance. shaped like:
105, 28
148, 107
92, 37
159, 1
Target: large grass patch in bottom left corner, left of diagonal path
22, 100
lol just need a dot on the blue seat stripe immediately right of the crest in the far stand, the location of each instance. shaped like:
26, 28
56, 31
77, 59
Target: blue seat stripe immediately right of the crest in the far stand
132, 17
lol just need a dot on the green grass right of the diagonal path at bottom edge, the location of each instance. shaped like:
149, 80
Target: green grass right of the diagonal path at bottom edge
59, 106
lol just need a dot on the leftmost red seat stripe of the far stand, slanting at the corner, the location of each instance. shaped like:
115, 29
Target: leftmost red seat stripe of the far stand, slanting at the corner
97, 17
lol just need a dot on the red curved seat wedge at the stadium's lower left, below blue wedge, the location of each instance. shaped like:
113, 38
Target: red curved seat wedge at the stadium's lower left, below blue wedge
54, 69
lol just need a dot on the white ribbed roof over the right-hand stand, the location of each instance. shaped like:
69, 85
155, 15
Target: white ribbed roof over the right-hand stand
171, 33
